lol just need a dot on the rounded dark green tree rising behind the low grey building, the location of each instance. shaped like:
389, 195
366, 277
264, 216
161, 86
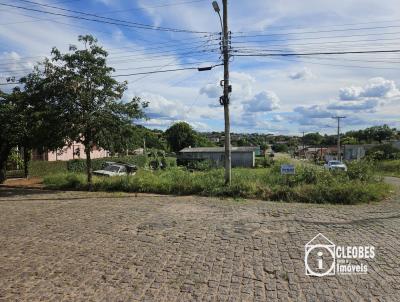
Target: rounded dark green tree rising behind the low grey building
180, 135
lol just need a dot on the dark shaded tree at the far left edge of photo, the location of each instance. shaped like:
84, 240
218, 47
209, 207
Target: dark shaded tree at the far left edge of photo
27, 122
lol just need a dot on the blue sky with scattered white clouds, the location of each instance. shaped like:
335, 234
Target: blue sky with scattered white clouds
270, 94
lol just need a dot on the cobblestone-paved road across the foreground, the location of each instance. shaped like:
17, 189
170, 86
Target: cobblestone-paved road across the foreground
91, 247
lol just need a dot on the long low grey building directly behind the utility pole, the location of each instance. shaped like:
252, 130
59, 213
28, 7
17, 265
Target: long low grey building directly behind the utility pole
241, 156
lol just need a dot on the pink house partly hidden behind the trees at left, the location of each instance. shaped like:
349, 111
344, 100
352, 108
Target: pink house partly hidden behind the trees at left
75, 151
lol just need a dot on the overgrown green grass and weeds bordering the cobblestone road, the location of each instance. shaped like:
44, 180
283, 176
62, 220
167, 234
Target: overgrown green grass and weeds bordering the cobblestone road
310, 184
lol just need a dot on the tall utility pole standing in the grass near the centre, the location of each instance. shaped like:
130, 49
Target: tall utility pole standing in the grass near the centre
225, 98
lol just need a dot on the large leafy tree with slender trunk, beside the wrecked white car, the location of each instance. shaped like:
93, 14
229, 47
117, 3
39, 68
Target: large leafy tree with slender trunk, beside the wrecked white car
80, 85
